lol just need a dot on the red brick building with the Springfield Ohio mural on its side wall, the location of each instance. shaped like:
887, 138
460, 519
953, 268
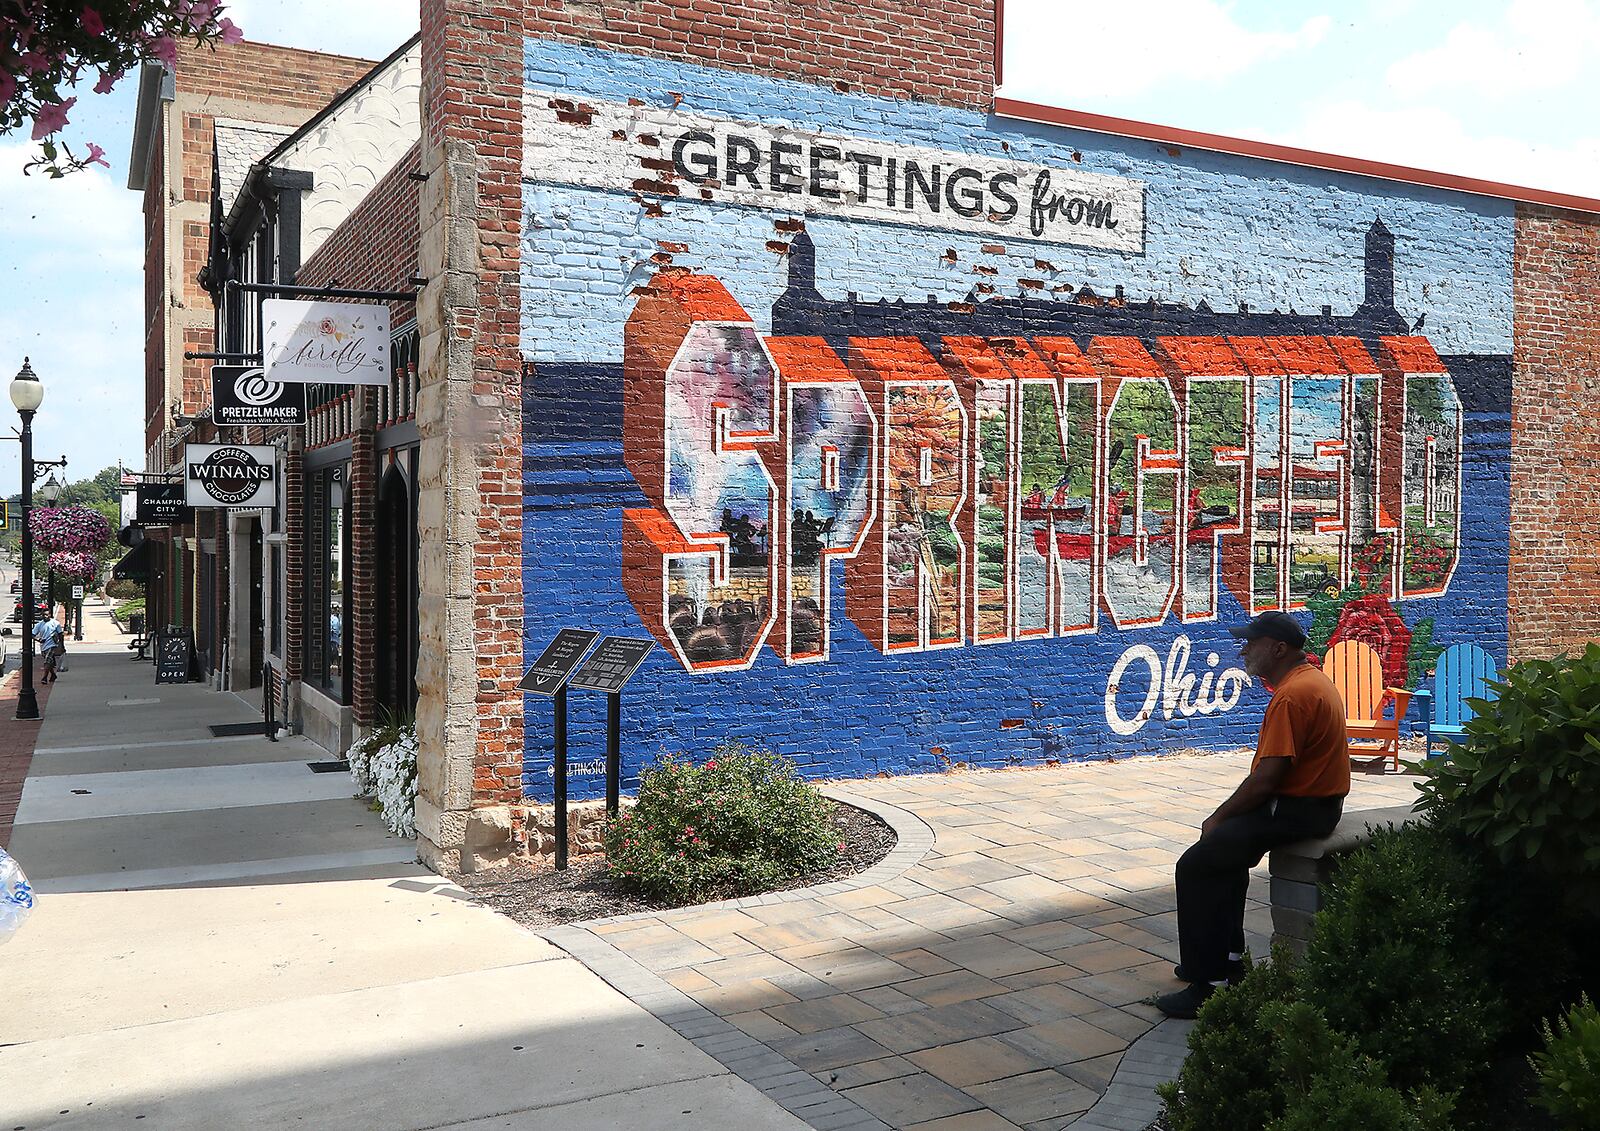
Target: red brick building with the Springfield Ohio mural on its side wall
919, 426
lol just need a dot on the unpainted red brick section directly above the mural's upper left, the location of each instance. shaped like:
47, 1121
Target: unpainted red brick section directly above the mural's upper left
930, 50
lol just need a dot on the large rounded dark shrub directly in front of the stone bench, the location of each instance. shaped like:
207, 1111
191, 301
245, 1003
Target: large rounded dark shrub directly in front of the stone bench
1396, 964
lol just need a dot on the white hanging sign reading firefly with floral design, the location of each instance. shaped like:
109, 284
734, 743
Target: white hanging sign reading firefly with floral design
326, 343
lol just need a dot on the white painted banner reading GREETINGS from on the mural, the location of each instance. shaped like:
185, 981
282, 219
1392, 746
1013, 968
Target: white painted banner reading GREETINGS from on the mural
705, 158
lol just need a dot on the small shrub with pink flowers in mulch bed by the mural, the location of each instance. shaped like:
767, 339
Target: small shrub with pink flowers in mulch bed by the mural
742, 823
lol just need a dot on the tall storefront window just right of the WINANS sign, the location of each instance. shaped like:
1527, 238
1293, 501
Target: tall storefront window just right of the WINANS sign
327, 581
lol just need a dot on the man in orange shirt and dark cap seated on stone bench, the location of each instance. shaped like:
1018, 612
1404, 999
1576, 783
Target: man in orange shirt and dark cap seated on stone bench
1295, 791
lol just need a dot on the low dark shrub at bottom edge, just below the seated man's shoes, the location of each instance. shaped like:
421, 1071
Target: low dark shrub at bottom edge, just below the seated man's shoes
1228, 1079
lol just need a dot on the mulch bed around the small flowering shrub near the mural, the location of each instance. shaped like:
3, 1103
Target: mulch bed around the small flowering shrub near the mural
583, 892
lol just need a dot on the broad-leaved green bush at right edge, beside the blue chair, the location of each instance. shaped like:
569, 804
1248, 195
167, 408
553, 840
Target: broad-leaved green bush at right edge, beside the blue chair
1526, 785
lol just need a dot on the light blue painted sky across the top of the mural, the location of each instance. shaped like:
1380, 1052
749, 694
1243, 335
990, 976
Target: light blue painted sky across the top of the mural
1298, 249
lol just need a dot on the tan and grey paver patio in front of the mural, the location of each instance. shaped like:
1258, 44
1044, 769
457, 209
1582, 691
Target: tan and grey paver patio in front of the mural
998, 983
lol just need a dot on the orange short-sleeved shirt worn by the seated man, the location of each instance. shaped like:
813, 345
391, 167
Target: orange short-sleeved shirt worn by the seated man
1306, 724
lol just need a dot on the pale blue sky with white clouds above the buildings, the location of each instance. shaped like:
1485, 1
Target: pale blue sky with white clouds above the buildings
1503, 90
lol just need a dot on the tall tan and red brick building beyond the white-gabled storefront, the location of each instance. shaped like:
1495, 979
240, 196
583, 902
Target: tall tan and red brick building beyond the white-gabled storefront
198, 130
